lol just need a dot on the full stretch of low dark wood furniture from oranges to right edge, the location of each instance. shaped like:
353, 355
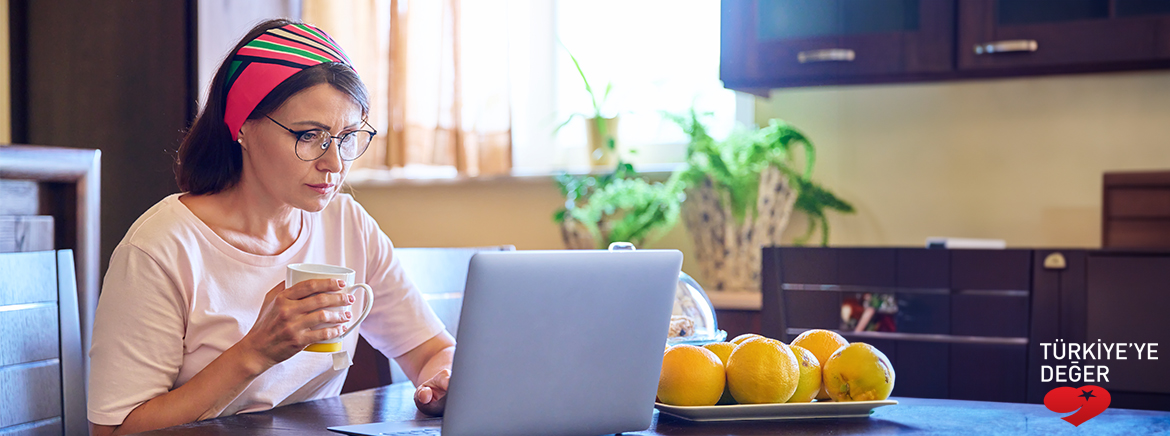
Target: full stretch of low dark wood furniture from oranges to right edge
973, 324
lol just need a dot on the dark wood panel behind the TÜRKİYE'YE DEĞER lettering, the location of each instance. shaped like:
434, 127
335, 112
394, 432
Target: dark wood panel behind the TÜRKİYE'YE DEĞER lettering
1106, 296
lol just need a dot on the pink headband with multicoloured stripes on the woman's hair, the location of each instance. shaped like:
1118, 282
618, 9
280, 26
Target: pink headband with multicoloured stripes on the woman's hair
271, 59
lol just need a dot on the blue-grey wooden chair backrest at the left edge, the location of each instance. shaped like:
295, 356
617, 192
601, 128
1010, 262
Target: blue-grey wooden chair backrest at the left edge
42, 368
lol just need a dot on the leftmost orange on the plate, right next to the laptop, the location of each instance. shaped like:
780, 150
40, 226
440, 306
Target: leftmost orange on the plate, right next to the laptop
691, 377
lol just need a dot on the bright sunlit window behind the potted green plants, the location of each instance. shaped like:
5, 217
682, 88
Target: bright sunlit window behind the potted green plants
658, 56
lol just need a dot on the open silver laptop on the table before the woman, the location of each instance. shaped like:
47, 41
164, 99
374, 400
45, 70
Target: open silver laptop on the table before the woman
556, 343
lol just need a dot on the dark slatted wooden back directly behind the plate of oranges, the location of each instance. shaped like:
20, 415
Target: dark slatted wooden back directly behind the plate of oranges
955, 320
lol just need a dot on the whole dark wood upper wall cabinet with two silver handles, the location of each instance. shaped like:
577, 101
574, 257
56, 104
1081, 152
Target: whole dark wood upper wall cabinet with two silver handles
779, 44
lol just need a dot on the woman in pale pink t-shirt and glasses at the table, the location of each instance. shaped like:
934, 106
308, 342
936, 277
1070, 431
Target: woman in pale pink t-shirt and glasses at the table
195, 321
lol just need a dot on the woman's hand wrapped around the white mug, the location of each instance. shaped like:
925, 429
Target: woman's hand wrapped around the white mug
288, 316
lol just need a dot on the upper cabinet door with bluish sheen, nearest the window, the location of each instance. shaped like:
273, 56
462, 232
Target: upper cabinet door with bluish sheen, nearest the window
770, 44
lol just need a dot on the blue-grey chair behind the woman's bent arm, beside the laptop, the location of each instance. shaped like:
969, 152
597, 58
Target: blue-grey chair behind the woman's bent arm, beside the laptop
441, 274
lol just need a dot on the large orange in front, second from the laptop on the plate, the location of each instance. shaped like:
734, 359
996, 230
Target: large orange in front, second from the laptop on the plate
762, 371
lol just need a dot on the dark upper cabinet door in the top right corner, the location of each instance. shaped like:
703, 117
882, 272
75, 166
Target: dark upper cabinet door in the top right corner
1062, 36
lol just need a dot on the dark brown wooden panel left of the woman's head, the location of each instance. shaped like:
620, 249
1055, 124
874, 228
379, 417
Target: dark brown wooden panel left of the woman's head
97, 82
